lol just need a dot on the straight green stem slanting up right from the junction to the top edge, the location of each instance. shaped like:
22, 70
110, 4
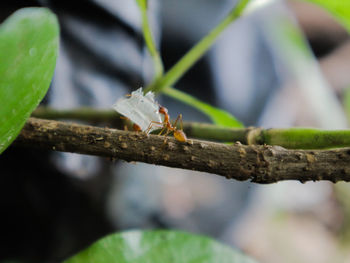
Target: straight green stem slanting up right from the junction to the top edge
196, 52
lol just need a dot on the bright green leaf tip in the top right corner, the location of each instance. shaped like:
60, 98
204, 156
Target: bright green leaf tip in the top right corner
340, 9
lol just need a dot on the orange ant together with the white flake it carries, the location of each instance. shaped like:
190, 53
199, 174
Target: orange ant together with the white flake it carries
148, 115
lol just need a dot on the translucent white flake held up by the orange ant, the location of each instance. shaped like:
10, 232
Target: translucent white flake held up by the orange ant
140, 109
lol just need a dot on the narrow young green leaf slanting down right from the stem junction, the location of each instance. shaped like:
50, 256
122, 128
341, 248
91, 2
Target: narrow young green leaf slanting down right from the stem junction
218, 116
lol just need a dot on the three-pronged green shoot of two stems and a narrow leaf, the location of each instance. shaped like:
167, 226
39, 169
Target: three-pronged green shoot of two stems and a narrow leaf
163, 82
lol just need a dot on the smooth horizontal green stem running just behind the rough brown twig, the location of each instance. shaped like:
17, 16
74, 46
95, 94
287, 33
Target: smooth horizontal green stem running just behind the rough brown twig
292, 138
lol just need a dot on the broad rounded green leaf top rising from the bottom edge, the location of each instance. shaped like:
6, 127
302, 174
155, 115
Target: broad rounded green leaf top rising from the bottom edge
158, 246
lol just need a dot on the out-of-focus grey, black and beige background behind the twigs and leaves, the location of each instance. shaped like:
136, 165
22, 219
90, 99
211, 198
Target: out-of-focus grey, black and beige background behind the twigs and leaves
55, 204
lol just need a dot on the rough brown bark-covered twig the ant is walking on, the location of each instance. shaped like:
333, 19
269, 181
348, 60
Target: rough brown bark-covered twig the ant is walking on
258, 163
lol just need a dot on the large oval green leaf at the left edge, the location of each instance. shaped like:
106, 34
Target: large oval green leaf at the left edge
28, 51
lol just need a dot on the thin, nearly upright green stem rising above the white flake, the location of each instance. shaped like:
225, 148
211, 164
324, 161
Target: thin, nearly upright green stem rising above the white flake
147, 34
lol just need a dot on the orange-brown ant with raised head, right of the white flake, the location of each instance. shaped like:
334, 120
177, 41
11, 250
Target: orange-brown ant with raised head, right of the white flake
166, 125
